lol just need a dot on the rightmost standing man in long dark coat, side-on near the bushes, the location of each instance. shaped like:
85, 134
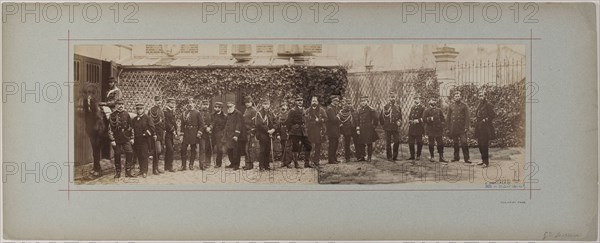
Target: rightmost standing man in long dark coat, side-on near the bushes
484, 130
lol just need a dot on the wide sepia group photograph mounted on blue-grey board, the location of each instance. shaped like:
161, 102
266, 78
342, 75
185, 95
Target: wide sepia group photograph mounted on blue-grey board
299, 113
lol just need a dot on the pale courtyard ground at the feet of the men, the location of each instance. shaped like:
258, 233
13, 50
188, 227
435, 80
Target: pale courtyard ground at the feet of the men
506, 168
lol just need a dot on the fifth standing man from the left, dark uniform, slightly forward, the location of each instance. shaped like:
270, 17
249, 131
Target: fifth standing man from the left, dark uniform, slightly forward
191, 131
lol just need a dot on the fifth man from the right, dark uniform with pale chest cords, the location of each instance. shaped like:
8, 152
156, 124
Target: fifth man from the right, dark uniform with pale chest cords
391, 119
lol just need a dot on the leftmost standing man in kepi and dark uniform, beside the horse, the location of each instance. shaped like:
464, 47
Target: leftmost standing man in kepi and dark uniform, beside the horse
120, 133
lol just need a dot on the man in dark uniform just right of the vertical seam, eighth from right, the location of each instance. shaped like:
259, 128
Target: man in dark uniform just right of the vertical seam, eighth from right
333, 129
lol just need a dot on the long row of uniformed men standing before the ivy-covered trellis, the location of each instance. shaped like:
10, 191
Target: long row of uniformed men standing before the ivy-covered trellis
227, 130
